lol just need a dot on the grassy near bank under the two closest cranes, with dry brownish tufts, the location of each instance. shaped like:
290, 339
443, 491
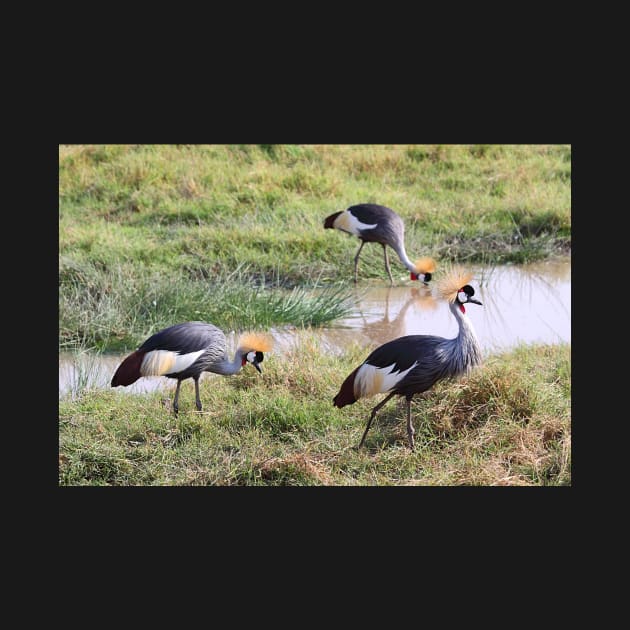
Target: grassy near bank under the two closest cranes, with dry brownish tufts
508, 423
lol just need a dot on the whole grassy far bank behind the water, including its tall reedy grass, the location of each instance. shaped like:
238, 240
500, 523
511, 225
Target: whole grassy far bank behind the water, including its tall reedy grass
151, 234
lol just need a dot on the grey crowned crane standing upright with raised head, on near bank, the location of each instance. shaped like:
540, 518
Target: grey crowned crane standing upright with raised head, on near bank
412, 364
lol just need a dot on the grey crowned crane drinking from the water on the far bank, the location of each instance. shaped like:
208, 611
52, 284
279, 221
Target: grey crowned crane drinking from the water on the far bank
378, 224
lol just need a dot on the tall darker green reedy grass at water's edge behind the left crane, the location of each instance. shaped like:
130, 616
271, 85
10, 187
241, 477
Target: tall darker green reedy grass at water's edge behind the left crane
114, 309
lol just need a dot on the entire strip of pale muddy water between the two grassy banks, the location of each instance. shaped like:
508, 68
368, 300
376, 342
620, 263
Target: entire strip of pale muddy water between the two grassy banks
521, 304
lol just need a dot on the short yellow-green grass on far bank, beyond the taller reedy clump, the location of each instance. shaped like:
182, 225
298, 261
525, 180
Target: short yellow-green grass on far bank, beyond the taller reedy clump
209, 207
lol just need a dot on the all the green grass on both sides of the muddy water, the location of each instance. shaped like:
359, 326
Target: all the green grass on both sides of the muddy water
154, 235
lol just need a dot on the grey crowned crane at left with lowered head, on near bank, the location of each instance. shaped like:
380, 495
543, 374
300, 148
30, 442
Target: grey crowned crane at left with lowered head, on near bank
185, 351
